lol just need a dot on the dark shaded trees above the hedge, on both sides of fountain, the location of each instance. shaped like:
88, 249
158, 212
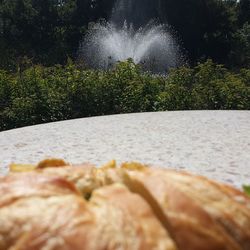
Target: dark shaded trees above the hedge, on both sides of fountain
49, 32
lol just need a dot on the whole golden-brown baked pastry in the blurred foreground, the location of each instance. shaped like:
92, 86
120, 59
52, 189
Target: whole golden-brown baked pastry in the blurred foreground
55, 206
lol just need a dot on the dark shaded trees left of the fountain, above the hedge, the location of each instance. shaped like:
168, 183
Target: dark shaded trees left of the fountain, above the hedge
47, 31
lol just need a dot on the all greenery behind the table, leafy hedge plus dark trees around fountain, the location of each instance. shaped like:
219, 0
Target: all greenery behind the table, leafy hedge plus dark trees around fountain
41, 79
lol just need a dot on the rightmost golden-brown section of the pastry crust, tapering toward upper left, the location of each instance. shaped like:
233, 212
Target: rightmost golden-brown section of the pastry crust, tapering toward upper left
225, 205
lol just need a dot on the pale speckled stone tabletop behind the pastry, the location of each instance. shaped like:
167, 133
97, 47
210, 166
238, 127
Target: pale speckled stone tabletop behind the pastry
211, 143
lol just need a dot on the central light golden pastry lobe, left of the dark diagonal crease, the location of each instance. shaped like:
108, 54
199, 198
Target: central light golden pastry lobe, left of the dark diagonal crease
131, 220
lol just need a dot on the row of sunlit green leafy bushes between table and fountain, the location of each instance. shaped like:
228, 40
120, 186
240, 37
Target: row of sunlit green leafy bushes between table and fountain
40, 94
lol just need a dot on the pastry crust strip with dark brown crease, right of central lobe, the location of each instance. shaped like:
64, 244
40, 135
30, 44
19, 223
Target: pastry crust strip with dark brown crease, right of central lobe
188, 223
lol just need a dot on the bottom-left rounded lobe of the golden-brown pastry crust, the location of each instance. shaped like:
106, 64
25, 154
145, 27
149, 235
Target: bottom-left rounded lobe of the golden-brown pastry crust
53, 223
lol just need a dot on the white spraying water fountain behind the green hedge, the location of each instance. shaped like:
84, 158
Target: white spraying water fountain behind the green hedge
152, 45
